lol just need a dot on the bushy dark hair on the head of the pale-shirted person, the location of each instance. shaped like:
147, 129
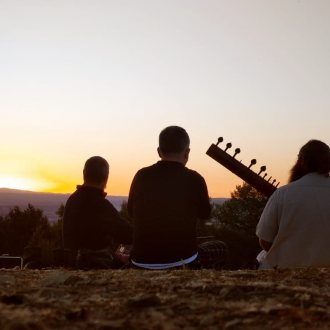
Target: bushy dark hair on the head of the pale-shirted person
314, 156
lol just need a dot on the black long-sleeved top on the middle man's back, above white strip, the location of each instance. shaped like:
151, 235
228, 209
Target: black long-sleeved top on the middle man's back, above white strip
166, 207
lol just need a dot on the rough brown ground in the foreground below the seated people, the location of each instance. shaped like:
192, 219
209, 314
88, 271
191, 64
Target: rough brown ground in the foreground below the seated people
181, 299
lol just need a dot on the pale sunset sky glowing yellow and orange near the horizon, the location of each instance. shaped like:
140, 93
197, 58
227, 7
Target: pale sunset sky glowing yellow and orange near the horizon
80, 78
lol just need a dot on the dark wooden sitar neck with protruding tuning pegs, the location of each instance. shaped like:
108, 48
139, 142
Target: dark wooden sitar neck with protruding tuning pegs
259, 180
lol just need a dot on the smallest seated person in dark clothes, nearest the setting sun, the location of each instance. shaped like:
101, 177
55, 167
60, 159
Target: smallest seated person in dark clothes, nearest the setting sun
92, 227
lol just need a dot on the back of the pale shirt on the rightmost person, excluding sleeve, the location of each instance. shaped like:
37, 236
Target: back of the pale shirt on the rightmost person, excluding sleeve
302, 239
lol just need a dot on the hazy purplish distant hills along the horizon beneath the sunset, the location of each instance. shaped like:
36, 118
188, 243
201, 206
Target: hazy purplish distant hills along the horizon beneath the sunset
50, 202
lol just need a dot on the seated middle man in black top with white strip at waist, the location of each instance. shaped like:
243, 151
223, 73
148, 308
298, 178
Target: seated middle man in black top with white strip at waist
165, 202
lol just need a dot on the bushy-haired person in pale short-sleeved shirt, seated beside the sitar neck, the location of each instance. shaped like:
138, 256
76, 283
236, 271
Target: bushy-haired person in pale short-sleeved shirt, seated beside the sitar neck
294, 228
